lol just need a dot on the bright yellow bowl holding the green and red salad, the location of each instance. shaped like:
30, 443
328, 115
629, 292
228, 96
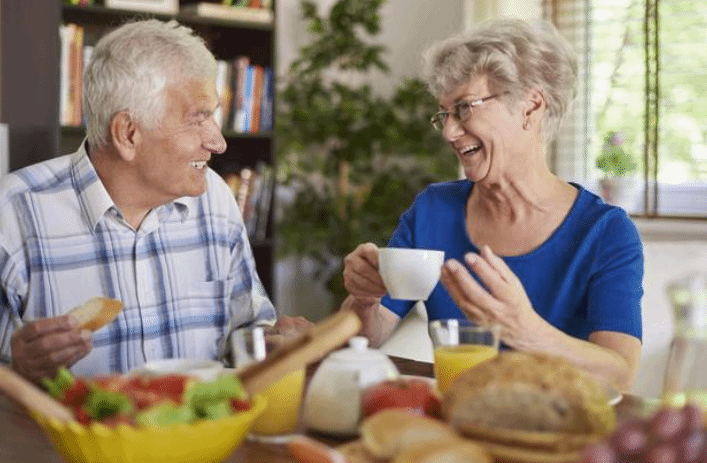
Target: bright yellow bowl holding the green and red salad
205, 441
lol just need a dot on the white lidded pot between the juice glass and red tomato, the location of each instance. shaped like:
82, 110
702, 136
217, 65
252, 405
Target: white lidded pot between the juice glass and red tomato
332, 403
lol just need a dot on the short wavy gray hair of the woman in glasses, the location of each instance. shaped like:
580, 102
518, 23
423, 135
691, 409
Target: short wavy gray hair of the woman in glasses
516, 56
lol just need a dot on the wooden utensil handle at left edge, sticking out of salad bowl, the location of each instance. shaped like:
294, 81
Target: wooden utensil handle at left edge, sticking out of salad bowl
32, 397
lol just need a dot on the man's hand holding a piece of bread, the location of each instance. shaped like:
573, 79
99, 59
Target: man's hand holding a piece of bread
40, 347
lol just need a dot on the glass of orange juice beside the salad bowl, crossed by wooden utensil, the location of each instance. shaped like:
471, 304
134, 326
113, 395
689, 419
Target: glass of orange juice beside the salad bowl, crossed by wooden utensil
280, 419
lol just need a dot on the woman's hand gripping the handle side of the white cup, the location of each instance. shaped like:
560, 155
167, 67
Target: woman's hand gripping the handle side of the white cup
361, 277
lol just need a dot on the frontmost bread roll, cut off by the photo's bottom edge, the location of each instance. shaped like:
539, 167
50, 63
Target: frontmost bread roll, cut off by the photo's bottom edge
454, 451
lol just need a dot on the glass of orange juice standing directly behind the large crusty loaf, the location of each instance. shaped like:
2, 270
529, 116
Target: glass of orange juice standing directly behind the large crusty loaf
458, 346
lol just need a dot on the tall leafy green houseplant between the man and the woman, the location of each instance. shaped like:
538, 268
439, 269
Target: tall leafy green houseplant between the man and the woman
351, 159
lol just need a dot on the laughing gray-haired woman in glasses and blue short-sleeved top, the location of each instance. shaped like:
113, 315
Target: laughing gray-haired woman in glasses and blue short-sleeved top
559, 270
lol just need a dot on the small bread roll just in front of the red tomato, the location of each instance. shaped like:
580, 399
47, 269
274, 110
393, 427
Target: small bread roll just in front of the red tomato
391, 430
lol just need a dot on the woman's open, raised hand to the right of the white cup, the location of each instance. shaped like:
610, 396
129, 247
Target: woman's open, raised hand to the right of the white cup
505, 302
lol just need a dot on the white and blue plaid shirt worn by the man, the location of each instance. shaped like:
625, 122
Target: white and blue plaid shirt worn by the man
186, 276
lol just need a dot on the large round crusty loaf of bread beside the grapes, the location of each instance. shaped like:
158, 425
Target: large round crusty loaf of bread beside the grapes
539, 396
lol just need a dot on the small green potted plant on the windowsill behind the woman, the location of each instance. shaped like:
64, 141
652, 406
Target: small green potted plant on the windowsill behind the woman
618, 184
